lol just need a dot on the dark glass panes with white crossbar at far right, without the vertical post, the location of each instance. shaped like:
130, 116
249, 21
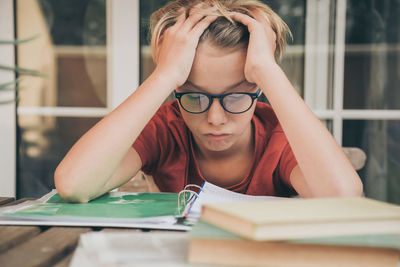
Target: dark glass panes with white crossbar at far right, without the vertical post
371, 95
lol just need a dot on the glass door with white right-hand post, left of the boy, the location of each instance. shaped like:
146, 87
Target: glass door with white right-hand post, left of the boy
87, 51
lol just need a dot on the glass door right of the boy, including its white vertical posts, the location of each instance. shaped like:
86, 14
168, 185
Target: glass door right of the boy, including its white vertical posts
351, 80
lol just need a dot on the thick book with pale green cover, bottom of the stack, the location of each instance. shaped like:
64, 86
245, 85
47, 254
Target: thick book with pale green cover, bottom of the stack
212, 245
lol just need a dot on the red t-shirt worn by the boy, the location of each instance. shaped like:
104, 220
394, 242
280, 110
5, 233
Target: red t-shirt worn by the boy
166, 150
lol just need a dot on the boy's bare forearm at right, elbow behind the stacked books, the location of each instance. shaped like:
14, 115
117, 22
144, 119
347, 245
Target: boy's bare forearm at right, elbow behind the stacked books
322, 161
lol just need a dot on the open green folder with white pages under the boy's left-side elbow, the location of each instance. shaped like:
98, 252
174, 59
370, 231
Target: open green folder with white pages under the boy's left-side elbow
117, 209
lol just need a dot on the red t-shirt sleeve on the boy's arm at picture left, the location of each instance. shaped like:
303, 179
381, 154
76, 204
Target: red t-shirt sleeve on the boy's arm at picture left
147, 145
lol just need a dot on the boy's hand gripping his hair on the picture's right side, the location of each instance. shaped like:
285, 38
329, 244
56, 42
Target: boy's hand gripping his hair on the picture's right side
262, 44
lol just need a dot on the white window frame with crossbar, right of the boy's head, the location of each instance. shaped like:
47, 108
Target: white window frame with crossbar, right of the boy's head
313, 91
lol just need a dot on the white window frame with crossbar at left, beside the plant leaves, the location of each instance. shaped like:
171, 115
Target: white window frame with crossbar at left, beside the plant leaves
122, 78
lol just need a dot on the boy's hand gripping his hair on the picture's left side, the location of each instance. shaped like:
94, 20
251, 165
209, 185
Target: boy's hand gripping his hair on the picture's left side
178, 44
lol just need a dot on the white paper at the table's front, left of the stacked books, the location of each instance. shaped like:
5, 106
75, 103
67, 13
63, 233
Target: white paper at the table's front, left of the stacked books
125, 249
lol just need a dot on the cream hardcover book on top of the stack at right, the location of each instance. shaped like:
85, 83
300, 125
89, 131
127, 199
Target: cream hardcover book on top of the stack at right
304, 218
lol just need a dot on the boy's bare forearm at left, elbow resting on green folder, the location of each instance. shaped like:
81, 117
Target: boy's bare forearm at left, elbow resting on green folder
91, 162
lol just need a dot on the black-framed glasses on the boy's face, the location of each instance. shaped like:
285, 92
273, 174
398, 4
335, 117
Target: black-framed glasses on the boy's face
199, 102
